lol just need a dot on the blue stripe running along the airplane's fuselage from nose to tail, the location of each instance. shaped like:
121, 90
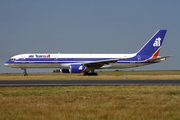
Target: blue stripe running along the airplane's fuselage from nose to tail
135, 59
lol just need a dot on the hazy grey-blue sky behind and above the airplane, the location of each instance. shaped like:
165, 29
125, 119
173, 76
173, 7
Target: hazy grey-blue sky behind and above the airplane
87, 26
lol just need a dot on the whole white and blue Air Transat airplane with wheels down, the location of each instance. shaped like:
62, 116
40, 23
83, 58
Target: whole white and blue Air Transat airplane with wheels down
87, 63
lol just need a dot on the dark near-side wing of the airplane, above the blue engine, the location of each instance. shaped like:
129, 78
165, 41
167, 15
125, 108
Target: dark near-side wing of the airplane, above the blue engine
98, 64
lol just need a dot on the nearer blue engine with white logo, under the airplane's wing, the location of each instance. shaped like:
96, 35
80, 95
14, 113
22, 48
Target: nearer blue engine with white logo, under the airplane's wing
77, 68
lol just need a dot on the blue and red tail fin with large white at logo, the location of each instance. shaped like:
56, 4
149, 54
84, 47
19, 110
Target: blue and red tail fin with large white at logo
153, 46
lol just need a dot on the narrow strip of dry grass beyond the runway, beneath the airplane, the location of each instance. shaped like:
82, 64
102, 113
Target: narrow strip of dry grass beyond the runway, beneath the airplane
115, 75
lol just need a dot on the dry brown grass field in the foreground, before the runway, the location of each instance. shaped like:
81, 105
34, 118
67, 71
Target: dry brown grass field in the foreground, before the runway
93, 103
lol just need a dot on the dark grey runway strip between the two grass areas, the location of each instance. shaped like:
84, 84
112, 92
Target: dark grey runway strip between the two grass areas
33, 83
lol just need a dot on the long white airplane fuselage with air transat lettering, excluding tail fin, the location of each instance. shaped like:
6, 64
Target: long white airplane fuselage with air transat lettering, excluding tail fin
55, 60
